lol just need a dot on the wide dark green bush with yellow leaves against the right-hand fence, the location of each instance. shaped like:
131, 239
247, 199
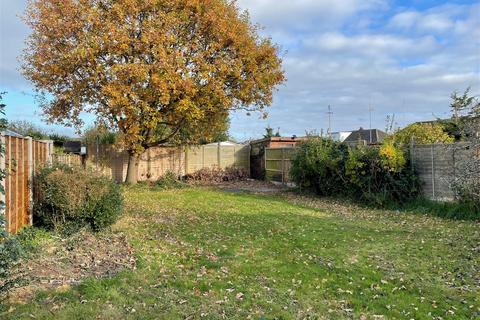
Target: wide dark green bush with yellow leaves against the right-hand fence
373, 175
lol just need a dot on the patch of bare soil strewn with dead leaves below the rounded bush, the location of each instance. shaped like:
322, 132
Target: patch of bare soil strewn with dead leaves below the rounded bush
64, 262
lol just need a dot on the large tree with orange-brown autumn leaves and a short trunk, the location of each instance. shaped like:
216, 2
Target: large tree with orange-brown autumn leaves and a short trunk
157, 71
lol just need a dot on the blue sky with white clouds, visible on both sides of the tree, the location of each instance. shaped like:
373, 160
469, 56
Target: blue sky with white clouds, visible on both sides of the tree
400, 57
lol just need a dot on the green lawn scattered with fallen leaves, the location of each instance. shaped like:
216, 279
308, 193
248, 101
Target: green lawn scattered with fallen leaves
209, 254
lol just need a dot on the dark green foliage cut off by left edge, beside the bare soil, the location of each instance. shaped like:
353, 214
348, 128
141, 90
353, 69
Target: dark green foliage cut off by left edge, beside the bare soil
10, 253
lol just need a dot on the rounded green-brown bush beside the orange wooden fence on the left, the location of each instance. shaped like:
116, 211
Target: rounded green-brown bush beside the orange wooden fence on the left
68, 199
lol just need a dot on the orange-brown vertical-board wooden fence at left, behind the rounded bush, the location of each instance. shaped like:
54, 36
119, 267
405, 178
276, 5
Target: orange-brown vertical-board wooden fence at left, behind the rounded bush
23, 157
